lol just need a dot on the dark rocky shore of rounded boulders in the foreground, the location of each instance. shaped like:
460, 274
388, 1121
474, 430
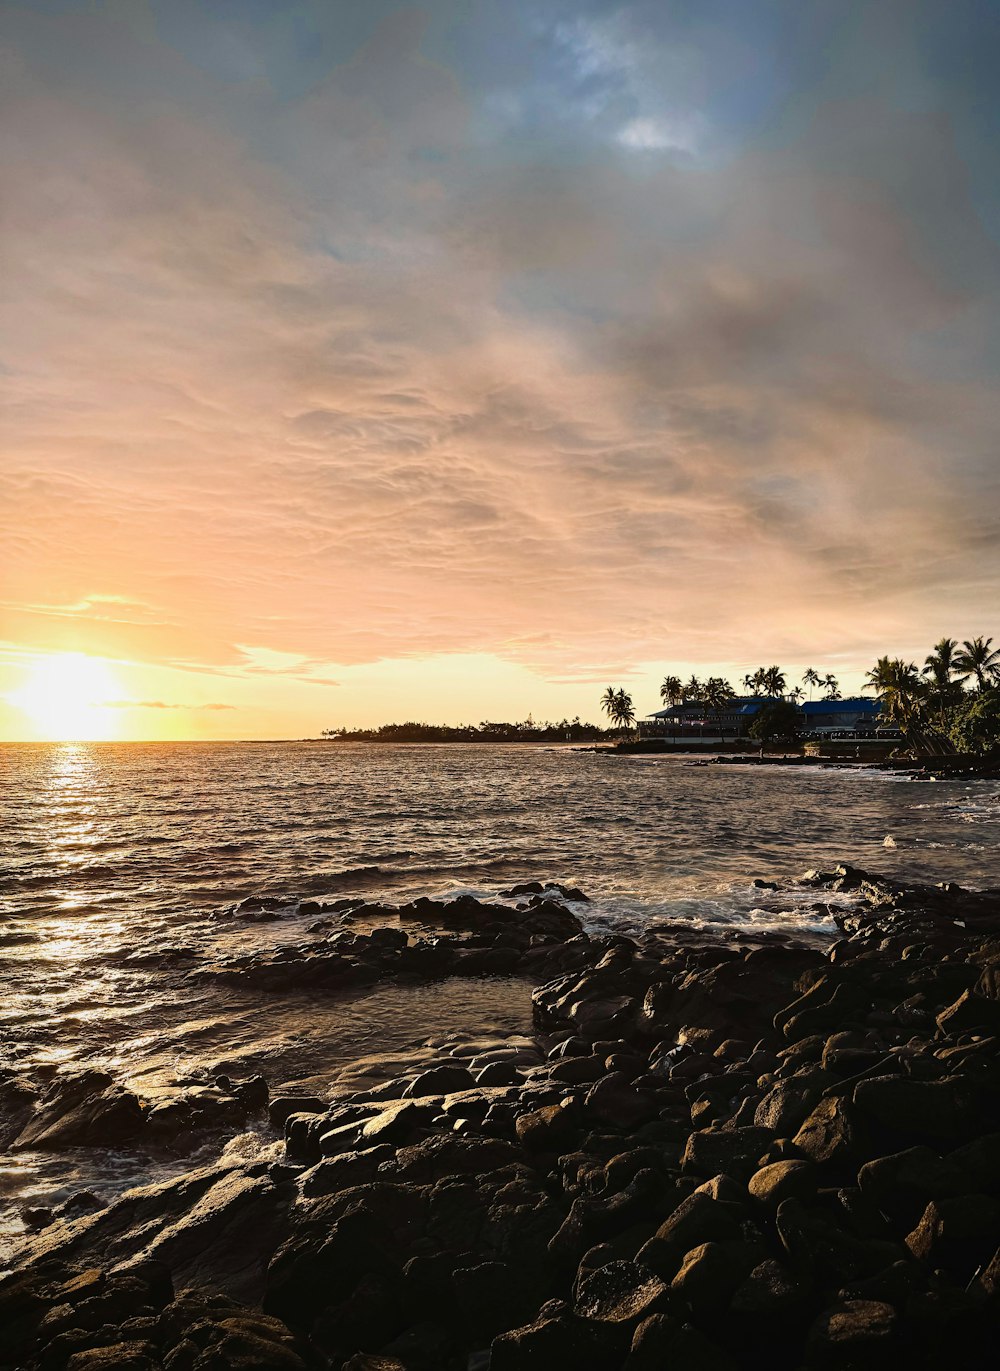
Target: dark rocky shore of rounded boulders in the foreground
711, 1154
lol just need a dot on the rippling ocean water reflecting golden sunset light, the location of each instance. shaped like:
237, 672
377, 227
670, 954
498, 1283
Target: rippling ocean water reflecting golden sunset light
116, 862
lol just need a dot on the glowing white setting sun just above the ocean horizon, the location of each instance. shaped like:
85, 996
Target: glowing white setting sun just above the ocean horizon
67, 699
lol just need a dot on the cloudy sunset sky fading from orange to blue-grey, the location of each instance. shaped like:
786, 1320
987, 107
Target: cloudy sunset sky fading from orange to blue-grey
455, 361
